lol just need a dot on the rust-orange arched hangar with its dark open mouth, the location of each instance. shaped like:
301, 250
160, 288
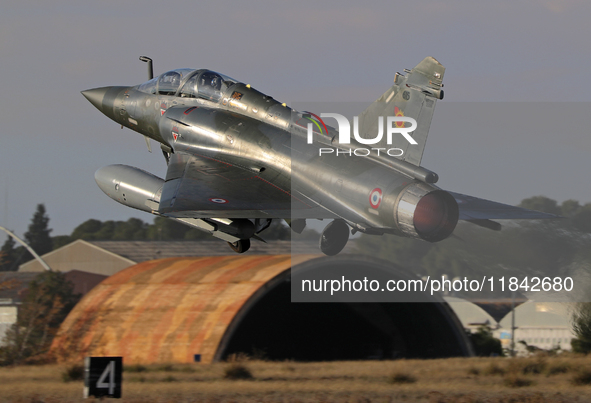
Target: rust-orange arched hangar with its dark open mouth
178, 310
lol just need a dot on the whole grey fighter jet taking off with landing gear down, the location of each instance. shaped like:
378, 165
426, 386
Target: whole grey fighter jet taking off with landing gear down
238, 159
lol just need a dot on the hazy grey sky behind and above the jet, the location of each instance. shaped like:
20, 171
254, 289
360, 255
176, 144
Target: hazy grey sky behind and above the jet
513, 123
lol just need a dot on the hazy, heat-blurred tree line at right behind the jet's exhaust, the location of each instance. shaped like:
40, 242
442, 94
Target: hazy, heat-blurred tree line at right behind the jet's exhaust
526, 247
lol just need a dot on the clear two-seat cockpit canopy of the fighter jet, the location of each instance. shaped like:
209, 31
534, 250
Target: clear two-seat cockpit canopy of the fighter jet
204, 84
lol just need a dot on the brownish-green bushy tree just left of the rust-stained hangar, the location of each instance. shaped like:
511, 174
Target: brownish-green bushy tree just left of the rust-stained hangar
48, 300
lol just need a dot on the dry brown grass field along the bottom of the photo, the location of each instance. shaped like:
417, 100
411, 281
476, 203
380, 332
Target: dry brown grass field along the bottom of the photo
463, 380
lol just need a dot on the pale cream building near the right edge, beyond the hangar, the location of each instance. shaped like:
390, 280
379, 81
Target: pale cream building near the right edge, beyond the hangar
544, 325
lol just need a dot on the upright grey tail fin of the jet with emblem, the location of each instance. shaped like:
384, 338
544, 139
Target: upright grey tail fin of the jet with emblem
413, 95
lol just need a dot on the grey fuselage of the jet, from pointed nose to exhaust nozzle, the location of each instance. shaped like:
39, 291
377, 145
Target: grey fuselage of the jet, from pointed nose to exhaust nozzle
206, 114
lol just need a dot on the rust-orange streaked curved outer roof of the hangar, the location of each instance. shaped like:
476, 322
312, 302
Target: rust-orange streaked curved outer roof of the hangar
166, 310
